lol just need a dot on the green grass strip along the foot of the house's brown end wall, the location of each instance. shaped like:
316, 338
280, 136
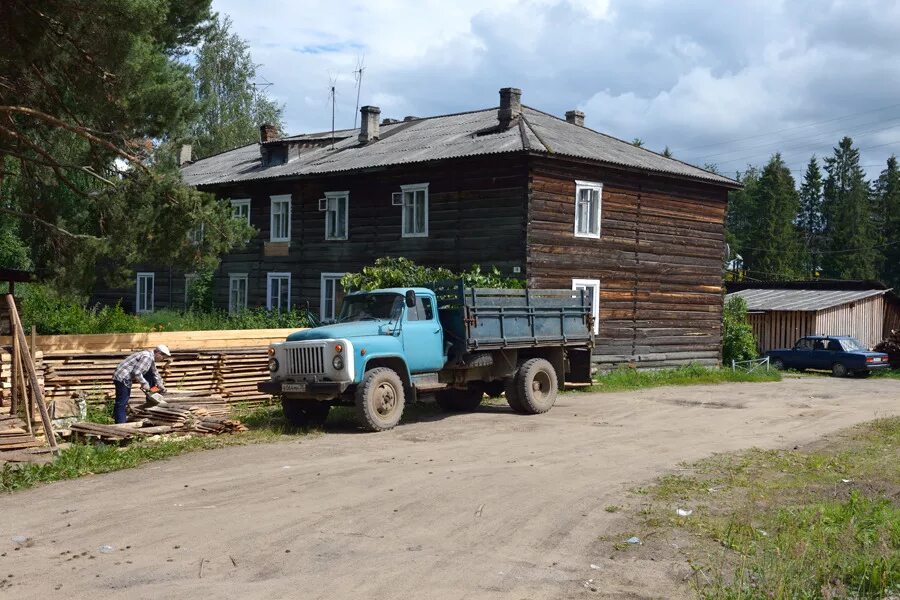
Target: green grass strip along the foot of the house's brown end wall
624, 379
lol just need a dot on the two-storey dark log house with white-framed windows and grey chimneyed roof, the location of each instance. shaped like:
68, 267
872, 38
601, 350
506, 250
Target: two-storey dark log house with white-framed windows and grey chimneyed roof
540, 197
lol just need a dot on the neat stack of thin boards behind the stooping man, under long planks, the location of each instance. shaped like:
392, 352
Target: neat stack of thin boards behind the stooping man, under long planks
231, 373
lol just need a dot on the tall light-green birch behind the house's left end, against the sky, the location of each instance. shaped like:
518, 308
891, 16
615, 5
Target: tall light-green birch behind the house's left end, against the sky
231, 107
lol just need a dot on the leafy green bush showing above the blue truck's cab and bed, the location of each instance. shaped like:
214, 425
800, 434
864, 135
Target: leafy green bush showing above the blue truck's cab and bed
402, 272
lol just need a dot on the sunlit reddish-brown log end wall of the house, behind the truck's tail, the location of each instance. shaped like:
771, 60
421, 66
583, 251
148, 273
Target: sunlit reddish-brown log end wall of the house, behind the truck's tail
659, 260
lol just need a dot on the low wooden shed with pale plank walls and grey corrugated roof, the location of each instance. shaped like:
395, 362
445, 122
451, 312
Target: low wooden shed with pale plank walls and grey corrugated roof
782, 312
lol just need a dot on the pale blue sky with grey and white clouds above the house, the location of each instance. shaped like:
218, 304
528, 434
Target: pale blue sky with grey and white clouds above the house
718, 81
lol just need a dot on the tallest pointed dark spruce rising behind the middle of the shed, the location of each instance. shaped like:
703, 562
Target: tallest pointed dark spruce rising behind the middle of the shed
849, 233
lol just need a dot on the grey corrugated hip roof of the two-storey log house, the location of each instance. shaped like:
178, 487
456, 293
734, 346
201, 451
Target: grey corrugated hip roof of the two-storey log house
442, 137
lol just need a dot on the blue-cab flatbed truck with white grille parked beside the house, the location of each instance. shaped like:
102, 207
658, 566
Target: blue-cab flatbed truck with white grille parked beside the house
450, 344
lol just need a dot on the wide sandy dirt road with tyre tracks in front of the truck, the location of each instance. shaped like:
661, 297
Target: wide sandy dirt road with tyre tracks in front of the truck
484, 505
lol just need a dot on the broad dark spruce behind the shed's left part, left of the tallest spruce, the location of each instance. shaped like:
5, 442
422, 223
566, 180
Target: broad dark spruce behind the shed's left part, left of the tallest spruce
772, 242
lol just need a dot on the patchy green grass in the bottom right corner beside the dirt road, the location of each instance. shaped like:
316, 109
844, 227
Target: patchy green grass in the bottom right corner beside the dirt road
816, 523
